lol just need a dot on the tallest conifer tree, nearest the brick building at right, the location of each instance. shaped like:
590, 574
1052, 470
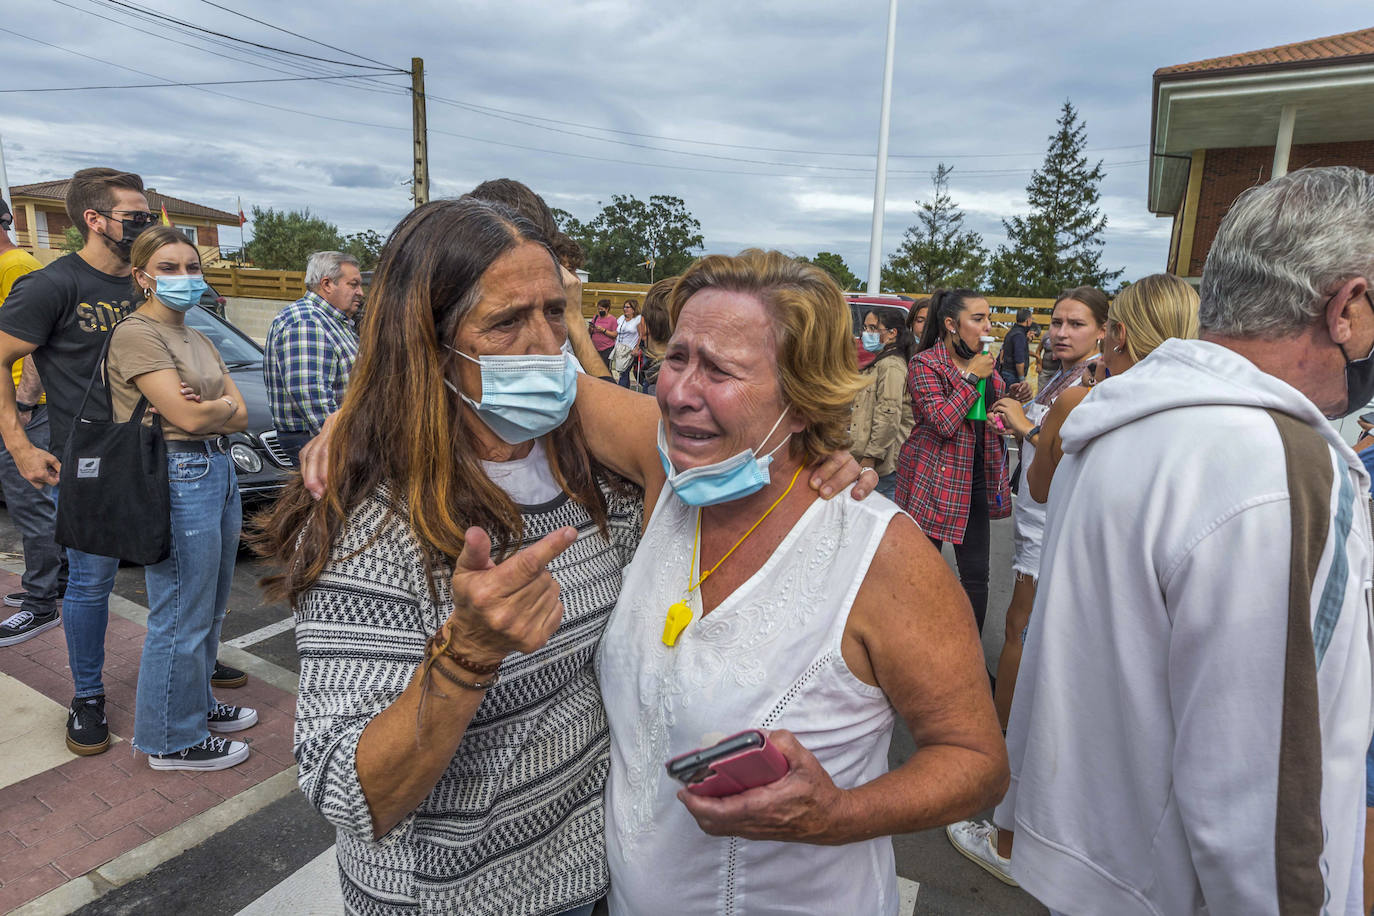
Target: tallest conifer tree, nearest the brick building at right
1059, 244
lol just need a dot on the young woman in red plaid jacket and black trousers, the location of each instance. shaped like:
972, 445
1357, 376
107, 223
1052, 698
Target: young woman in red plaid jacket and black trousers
953, 470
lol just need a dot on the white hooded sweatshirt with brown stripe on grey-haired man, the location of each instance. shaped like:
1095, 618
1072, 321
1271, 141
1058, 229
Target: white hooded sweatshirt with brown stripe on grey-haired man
1170, 665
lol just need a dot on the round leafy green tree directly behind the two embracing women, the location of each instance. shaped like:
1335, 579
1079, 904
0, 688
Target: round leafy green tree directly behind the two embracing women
637, 241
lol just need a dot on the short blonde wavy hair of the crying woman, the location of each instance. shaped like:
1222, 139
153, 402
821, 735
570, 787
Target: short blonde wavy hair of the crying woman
818, 370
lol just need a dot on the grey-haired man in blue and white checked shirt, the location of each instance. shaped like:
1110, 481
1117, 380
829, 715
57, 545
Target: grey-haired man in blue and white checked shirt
311, 348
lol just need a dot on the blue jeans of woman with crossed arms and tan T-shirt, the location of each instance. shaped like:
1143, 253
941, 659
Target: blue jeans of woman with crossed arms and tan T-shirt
189, 594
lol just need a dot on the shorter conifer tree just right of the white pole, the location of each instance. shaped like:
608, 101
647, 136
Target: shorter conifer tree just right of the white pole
938, 252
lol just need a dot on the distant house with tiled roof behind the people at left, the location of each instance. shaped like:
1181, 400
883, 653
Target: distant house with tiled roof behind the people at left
41, 219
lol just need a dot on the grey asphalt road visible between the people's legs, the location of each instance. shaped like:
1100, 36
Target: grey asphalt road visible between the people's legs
243, 863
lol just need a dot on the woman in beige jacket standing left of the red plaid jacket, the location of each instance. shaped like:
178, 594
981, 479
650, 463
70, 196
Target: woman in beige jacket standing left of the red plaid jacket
883, 417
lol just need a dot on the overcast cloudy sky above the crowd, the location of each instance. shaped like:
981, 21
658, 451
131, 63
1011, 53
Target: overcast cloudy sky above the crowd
762, 116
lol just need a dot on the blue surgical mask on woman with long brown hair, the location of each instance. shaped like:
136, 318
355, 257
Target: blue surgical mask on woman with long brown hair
524, 398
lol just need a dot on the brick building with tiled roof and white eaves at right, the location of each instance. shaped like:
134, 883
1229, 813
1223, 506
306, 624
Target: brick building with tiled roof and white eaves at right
1222, 126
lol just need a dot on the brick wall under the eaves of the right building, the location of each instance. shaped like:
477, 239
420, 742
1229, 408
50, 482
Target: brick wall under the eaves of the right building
1226, 174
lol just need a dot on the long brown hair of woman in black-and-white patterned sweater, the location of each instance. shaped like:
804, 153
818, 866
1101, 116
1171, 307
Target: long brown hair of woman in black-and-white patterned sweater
402, 426
